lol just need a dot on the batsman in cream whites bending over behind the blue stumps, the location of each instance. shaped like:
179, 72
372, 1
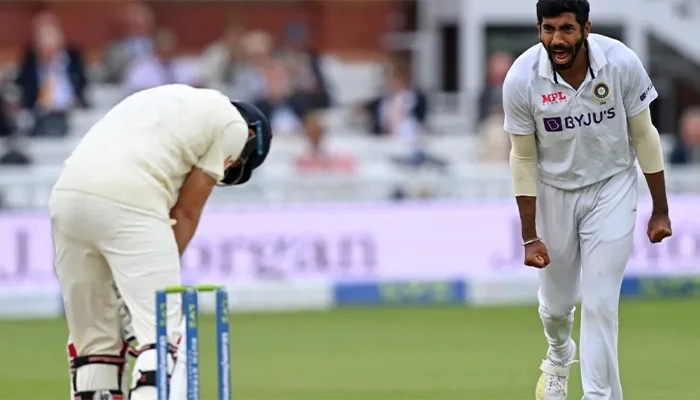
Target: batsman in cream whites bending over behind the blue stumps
122, 212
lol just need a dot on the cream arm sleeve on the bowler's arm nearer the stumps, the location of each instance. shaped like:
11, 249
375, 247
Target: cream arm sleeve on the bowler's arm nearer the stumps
523, 164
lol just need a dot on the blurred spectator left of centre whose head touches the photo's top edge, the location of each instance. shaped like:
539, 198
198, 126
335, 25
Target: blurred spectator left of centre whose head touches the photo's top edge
138, 24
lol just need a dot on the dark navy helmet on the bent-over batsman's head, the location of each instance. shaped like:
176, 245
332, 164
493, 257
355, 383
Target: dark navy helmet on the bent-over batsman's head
255, 150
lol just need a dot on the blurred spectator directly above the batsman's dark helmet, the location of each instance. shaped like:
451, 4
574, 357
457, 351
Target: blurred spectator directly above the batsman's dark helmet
266, 83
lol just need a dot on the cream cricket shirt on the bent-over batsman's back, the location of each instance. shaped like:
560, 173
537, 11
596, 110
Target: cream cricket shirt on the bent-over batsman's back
142, 150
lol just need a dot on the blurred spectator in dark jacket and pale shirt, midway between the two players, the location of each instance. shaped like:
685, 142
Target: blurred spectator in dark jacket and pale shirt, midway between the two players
402, 111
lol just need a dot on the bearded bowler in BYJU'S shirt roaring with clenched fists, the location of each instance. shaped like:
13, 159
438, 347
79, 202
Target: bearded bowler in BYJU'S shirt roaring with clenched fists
577, 111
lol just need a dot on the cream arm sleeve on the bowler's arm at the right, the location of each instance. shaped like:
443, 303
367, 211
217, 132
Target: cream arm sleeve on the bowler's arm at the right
646, 141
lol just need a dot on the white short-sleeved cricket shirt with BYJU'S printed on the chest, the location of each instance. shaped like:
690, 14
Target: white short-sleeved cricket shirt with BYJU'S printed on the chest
582, 135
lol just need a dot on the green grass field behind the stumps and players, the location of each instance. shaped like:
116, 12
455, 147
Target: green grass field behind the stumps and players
391, 354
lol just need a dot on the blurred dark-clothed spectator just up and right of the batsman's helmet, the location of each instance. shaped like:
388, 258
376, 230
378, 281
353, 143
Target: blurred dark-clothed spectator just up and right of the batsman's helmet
309, 91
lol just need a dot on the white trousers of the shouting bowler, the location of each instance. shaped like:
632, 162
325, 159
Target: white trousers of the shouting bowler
588, 233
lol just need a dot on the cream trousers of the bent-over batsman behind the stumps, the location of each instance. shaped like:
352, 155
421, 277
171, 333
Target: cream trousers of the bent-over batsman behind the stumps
99, 243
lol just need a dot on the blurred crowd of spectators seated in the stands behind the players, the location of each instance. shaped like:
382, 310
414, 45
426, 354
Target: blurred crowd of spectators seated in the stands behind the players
284, 79
